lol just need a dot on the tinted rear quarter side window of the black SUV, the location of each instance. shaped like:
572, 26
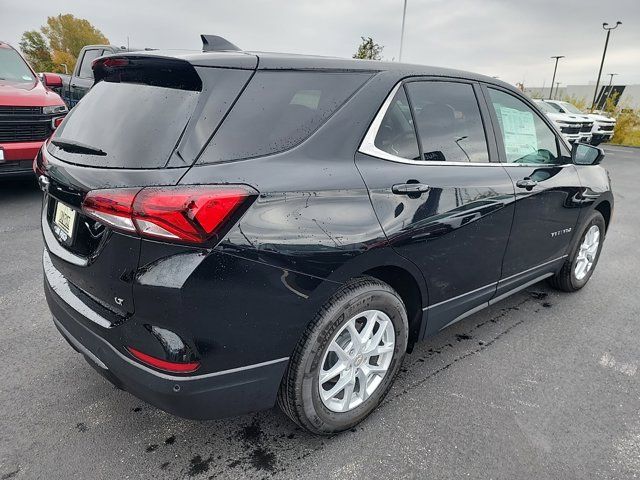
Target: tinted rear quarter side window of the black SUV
278, 110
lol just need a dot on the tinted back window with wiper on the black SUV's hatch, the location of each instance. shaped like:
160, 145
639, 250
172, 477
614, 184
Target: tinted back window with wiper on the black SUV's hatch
134, 125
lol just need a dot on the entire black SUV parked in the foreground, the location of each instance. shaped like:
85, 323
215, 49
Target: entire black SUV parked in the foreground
228, 229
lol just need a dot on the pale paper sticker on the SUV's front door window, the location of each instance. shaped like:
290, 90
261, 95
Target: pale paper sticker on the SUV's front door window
519, 132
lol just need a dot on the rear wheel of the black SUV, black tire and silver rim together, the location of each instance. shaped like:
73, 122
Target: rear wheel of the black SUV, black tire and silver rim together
299, 396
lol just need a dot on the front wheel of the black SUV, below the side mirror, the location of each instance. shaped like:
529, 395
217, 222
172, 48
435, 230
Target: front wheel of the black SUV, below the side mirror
579, 267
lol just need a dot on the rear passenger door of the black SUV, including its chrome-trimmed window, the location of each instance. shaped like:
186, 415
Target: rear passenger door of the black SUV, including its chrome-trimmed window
442, 198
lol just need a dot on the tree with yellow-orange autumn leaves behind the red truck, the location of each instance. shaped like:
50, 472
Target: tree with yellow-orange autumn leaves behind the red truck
65, 36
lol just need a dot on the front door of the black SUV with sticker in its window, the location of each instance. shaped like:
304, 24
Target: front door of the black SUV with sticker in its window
547, 189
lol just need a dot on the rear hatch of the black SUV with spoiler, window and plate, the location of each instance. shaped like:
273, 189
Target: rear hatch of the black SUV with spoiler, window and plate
143, 124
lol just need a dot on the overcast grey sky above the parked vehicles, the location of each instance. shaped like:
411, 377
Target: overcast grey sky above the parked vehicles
511, 39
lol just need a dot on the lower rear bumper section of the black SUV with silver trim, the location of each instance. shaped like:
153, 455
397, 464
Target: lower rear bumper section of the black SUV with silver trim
213, 395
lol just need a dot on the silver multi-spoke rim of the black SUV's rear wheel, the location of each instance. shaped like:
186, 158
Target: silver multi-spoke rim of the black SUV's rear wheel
356, 361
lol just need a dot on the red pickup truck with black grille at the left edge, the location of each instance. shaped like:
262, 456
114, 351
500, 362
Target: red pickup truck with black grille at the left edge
29, 111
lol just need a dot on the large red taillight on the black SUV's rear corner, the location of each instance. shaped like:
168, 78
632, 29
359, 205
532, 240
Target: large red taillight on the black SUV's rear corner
192, 214
